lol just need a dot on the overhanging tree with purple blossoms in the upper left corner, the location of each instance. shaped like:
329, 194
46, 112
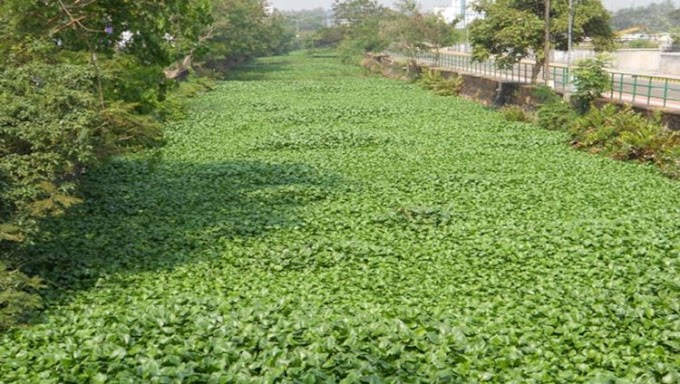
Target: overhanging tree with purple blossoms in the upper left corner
92, 32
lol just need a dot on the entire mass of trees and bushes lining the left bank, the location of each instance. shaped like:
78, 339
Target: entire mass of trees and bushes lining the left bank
83, 80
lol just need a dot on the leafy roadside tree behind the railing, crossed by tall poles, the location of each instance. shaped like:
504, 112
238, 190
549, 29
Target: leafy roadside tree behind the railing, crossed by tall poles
514, 29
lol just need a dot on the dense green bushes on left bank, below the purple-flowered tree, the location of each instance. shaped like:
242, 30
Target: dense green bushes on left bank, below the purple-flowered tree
53, 128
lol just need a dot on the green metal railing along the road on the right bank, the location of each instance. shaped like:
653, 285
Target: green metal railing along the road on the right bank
648, 90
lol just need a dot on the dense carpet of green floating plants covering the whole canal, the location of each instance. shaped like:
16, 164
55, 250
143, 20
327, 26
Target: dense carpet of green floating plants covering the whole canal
309, 224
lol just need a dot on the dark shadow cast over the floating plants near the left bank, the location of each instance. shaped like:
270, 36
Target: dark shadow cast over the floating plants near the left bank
146, 216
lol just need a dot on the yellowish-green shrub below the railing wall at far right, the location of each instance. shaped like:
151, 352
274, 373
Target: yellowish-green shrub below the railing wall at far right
627, 135
